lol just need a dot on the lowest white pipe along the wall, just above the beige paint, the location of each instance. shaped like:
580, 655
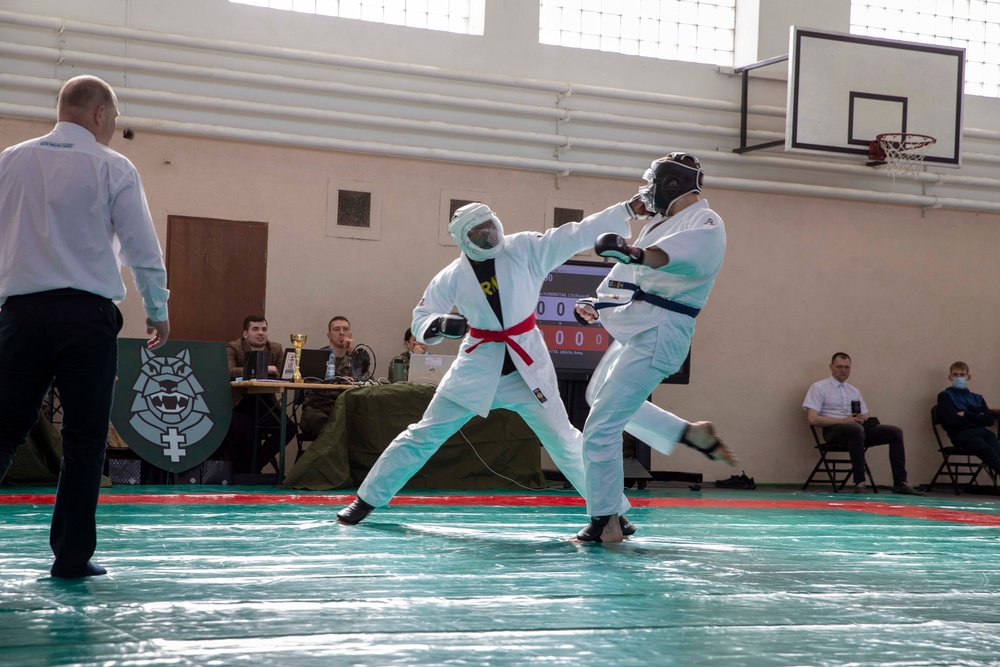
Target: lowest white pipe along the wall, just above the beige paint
549, 166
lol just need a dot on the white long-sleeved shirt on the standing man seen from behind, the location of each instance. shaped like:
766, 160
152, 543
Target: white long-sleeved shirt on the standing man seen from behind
72, 211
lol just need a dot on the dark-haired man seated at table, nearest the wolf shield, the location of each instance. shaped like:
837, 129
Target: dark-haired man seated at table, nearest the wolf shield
240, 434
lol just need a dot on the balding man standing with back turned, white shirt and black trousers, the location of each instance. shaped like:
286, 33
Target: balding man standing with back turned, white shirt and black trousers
71, 211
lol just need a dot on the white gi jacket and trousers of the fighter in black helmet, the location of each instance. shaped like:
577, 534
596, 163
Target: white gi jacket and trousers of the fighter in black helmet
650, 344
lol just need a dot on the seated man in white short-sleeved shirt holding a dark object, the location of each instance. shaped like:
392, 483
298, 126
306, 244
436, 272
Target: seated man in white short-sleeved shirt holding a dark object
839, 409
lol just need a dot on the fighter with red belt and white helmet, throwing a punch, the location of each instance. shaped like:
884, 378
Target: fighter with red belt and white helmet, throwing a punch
503, 361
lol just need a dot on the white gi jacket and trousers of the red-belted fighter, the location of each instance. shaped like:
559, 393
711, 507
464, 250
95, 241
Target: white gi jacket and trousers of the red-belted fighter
473, 385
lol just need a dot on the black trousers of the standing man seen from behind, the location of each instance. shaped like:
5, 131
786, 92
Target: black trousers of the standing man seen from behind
70, 338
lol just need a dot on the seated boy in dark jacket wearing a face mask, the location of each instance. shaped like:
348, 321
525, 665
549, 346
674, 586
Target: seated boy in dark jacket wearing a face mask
966, 418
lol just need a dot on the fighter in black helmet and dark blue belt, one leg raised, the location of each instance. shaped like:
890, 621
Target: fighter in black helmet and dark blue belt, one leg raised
648, 302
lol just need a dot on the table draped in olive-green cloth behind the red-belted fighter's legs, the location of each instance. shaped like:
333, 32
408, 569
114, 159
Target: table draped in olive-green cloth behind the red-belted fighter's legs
366, 419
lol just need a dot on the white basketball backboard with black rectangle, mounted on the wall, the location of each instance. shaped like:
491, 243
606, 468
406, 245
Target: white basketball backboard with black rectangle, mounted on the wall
843, 90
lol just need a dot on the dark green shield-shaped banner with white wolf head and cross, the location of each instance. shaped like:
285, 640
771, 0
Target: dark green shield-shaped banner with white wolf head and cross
172, 405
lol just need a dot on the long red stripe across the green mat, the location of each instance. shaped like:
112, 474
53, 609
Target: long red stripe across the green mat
872, 507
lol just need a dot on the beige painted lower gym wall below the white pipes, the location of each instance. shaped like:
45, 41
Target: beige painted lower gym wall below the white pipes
903, 291
